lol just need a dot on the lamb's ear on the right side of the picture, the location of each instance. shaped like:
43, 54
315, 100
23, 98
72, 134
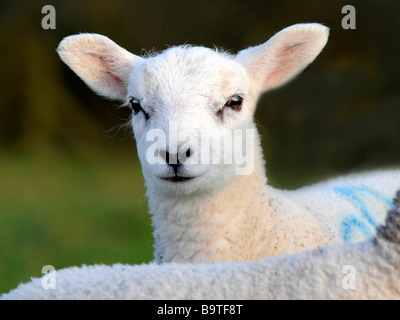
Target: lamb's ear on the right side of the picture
285, 55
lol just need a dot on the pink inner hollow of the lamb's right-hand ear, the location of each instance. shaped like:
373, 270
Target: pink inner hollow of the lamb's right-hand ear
284, 64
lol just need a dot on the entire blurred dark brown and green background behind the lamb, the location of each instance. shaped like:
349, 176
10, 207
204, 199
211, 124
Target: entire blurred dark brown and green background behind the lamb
71, 189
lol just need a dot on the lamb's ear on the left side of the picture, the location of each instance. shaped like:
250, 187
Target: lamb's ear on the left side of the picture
100, 62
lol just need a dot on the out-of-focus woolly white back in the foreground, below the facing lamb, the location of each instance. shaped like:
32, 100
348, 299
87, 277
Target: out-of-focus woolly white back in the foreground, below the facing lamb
364, 270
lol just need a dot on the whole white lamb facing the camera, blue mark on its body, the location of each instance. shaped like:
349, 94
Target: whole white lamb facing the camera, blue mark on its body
210, 202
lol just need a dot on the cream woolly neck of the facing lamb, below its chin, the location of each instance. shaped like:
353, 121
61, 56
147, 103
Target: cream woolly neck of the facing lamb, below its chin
228, 226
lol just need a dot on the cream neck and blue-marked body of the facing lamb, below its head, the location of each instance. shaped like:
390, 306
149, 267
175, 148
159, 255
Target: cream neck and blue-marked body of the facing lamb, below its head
263, 221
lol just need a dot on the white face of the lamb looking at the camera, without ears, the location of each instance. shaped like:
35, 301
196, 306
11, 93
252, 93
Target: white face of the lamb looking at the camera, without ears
188, 102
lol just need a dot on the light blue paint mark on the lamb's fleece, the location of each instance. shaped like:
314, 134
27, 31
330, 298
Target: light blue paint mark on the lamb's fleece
351, 222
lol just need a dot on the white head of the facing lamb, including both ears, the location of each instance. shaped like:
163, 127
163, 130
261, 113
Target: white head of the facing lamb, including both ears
192, 107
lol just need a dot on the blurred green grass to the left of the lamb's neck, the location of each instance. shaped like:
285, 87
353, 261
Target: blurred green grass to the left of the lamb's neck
63, 211
